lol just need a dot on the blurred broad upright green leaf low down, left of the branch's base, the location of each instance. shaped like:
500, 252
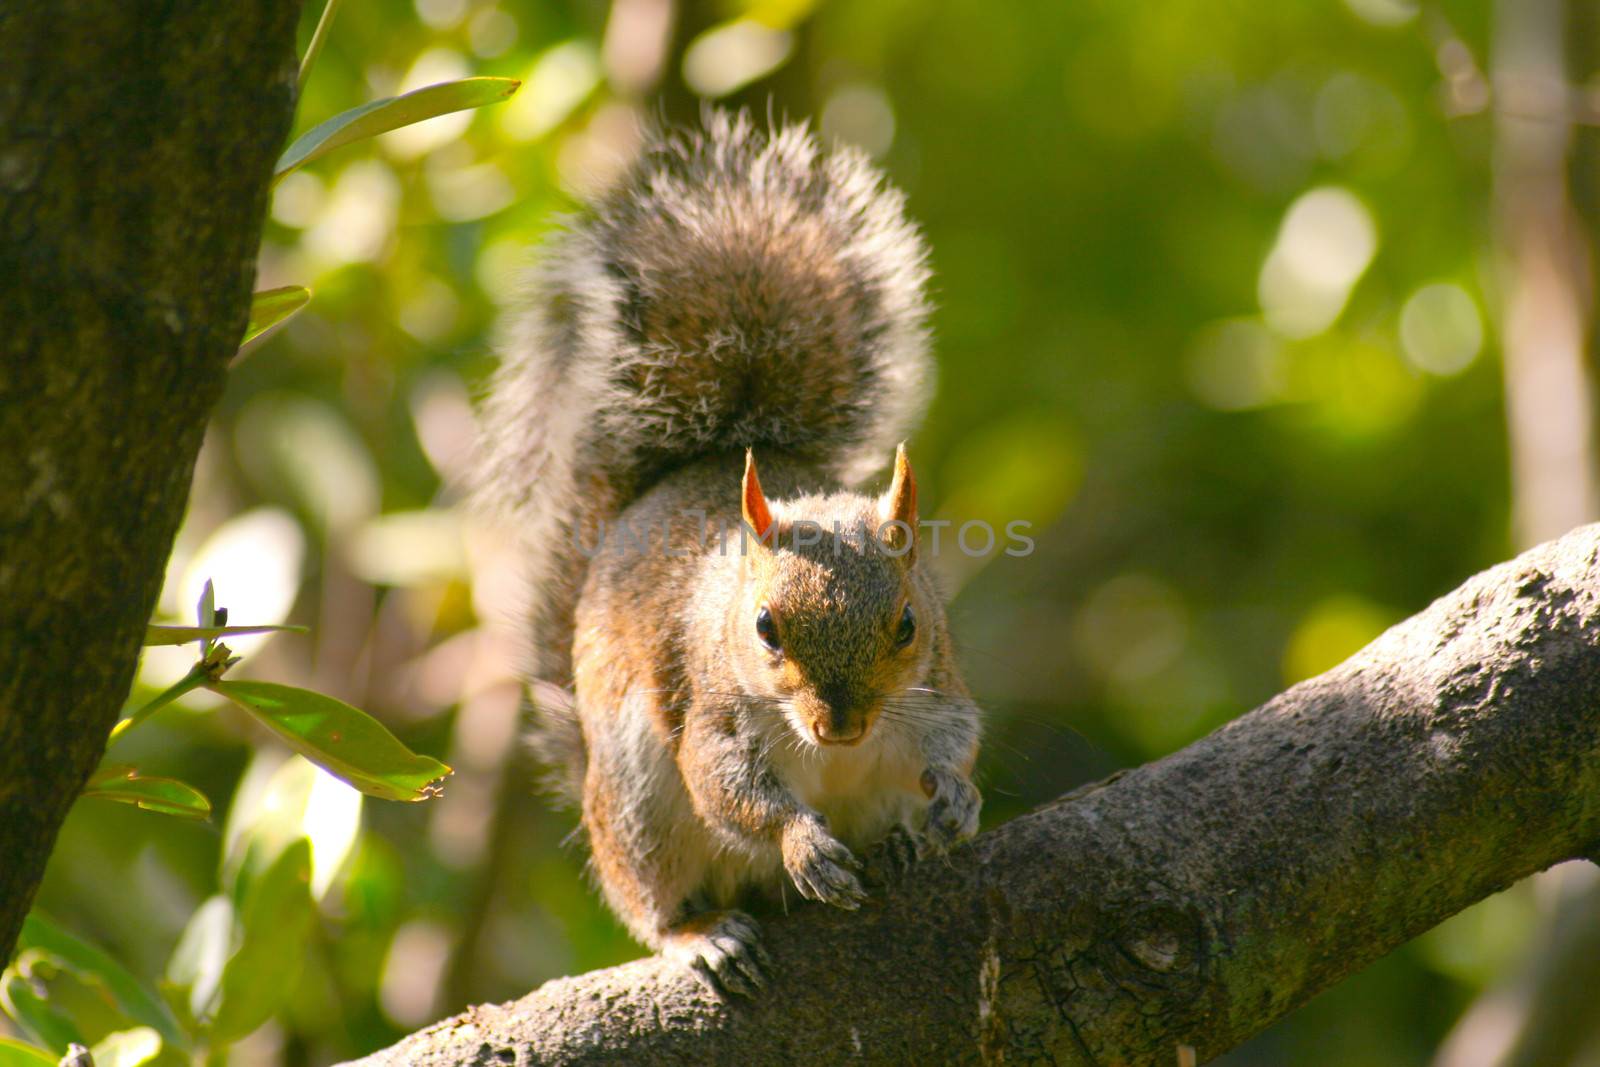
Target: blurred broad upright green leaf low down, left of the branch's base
276, 917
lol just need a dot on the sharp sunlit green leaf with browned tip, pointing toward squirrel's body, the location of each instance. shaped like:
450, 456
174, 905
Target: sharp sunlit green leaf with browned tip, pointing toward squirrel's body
338, 738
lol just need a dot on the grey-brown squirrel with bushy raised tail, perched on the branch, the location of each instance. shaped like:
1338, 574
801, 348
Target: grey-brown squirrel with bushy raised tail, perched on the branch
761, 669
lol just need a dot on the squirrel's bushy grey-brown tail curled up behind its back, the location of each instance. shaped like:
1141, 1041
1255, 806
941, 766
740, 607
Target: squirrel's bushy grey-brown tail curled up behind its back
738, 289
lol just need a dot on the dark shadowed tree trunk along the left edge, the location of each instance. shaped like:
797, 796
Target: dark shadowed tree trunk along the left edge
137, 143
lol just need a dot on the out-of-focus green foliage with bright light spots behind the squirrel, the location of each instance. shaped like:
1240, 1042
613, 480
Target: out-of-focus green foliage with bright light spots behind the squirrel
1214, 316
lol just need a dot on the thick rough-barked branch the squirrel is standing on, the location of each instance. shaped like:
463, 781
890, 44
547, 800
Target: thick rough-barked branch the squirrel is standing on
1191, 901
